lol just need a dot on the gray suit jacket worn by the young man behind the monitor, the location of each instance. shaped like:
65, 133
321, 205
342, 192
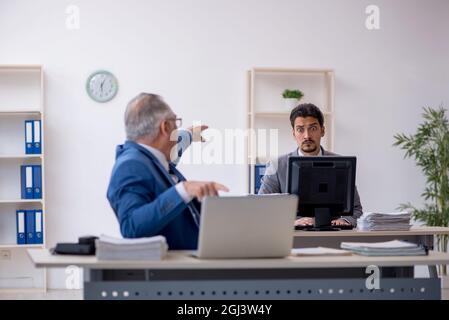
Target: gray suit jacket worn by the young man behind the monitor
275, 181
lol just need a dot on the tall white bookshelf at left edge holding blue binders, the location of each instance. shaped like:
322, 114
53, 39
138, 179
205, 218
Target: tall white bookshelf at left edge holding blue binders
21, 98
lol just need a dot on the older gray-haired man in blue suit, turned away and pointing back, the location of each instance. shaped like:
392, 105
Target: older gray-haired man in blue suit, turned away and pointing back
147, 193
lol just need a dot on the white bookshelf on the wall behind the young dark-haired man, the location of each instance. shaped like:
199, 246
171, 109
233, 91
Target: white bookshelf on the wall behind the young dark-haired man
266, 110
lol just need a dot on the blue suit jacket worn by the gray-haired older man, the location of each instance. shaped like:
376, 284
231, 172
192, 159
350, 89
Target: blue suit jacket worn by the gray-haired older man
145, 201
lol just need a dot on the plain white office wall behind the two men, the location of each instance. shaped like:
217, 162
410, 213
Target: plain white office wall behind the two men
195, 54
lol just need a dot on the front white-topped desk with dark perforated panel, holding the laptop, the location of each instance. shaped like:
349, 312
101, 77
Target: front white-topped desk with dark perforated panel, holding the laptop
181, 276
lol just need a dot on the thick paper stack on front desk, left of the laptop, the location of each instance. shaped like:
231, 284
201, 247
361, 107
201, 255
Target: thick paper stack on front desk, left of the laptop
109, 248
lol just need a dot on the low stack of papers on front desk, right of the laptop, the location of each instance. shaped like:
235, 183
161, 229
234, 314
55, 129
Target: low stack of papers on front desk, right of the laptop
388, 248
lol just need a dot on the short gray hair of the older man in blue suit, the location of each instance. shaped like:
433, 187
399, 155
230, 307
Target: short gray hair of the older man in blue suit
143, 116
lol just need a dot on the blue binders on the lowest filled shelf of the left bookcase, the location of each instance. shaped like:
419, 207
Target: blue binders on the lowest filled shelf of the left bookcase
29, 225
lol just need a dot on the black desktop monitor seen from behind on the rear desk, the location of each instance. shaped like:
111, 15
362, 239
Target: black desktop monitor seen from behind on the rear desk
325, 187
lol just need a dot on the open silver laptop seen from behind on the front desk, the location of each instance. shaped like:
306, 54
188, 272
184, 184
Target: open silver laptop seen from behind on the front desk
255, 226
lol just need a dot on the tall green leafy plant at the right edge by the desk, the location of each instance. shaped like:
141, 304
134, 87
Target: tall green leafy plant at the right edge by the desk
429, 147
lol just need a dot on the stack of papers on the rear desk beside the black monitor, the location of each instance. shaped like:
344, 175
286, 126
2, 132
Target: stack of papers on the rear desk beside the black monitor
376, 221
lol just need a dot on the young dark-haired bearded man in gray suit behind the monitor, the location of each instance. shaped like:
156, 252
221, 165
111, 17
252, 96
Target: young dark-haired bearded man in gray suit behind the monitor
307, 128
